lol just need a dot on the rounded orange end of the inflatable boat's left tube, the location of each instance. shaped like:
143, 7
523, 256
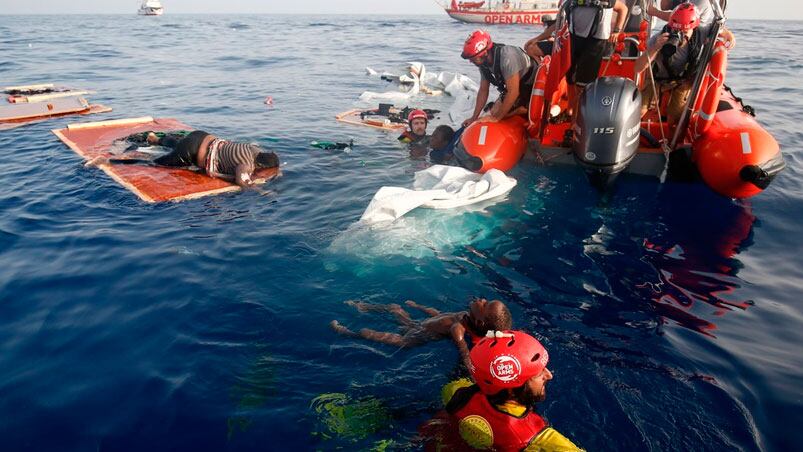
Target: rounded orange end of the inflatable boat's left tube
493, 145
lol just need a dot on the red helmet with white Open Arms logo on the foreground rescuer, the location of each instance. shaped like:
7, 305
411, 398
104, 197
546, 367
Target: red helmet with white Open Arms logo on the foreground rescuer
506, 360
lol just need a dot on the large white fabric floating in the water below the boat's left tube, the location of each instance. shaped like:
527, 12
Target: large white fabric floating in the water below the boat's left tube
437, 187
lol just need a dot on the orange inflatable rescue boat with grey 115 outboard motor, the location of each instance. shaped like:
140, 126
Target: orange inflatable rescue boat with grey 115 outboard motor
713, 137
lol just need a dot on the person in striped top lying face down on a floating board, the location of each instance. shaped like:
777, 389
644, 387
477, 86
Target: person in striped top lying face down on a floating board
228, 160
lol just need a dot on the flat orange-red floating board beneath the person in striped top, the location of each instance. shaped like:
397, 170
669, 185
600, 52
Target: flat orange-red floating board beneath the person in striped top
151, 184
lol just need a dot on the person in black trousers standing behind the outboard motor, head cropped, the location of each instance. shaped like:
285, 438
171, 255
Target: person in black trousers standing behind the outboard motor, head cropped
590, 23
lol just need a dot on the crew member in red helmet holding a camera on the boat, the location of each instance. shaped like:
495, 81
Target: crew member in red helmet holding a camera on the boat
672, 55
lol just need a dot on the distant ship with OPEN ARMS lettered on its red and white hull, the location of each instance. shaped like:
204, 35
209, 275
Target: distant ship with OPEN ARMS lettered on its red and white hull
503, 12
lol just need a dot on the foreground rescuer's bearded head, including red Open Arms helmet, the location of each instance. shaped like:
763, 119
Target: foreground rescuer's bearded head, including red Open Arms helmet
511, 365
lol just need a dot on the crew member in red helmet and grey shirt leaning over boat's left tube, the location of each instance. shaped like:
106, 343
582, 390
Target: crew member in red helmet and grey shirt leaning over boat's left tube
506, 67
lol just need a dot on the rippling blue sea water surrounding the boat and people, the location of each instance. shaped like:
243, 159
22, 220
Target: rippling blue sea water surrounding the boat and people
673, 316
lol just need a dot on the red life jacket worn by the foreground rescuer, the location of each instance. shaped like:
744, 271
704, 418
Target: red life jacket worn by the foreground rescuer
485, 426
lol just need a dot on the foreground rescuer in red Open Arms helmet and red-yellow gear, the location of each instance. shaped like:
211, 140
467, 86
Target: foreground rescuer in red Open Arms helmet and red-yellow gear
510, 375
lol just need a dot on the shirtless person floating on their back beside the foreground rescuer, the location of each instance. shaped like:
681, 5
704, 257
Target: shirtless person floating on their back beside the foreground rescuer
482, 316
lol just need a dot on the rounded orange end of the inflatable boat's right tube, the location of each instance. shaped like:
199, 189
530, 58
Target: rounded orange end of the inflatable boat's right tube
736, 157
